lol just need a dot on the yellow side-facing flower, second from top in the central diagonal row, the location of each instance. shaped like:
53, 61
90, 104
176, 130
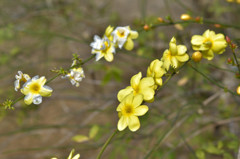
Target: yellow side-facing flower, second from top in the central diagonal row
156, 71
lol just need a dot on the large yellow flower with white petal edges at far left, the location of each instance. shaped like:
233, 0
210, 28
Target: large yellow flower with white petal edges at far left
35, 89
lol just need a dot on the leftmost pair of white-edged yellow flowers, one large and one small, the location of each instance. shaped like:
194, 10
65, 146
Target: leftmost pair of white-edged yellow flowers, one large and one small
33, 89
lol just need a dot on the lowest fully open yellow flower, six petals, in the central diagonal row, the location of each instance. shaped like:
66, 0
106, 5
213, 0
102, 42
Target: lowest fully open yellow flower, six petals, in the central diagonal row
129, 110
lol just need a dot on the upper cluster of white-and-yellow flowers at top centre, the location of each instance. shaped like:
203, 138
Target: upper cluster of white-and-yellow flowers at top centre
112, 39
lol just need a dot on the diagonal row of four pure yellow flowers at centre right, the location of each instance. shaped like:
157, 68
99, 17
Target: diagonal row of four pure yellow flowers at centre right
143, 89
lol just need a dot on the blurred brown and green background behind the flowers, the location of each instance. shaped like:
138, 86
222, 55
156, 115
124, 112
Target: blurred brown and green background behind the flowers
190, 114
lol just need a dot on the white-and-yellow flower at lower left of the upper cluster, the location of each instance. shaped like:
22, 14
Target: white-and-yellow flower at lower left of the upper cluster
103, 48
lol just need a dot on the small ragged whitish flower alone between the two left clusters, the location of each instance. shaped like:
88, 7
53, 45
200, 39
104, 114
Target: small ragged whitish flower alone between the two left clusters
76, 75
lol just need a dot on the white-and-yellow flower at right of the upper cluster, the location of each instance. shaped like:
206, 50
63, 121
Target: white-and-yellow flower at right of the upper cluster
122, 37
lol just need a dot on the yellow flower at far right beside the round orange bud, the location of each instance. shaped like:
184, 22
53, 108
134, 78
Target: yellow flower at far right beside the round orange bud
209, 43
